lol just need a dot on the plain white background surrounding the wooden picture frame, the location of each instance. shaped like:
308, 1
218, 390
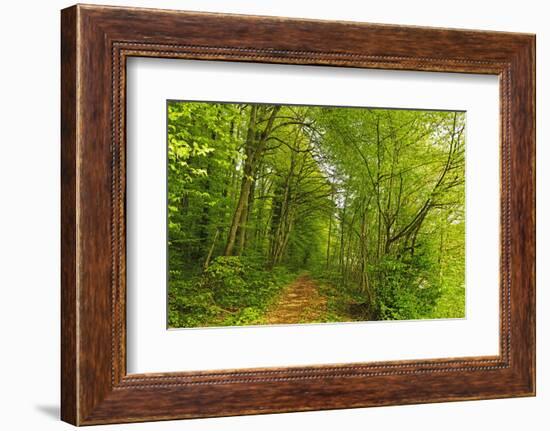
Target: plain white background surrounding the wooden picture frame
29, 215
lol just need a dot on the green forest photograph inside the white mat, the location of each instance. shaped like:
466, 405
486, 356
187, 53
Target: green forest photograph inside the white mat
292, 214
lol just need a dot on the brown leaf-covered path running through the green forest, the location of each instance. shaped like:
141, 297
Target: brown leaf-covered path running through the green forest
300, 302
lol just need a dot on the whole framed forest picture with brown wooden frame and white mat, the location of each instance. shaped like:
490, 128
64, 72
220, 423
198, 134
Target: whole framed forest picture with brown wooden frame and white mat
264, 214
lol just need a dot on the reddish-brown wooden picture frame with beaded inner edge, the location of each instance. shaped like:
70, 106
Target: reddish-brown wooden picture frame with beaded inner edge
95, 43
